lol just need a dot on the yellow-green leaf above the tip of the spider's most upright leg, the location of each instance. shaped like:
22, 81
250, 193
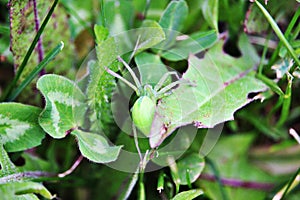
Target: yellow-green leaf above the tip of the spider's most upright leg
149, 34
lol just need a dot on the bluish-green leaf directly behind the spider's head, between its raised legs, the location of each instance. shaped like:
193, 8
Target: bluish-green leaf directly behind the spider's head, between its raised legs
151, 68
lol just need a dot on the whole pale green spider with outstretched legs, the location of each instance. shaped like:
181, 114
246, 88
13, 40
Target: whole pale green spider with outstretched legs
143, 110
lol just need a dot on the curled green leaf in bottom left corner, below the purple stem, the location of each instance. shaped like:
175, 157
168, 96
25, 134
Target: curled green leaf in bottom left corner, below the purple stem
23, 190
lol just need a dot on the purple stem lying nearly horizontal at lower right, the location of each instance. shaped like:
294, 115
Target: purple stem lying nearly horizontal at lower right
239, 183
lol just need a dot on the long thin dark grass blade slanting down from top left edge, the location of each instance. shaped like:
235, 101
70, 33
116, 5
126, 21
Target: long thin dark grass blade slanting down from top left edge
29, 52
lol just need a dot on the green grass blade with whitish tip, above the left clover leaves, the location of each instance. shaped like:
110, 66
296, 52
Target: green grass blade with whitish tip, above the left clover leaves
36, 71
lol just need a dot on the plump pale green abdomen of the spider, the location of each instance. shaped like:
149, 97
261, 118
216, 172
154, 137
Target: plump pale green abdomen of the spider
143, 113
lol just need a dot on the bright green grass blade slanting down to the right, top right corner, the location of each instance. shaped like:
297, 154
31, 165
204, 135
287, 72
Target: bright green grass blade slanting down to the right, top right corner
279, 34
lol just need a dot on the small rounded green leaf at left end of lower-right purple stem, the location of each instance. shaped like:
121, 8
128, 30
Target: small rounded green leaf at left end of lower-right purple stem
190, 167
